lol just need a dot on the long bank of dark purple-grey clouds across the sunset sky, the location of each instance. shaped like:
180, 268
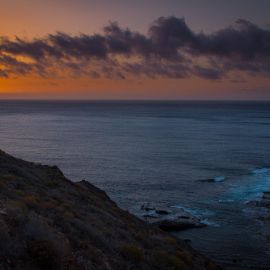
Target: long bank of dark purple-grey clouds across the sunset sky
170, 49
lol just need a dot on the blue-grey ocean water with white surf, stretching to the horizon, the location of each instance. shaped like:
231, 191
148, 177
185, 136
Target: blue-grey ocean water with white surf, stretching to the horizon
161, 153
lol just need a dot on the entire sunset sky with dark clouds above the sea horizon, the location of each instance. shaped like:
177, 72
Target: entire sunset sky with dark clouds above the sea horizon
170, 49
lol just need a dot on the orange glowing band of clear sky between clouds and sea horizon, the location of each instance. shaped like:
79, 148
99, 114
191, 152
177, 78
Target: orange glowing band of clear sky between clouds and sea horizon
85, 88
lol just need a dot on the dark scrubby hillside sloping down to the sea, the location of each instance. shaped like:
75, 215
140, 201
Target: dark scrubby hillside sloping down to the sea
49, 222
